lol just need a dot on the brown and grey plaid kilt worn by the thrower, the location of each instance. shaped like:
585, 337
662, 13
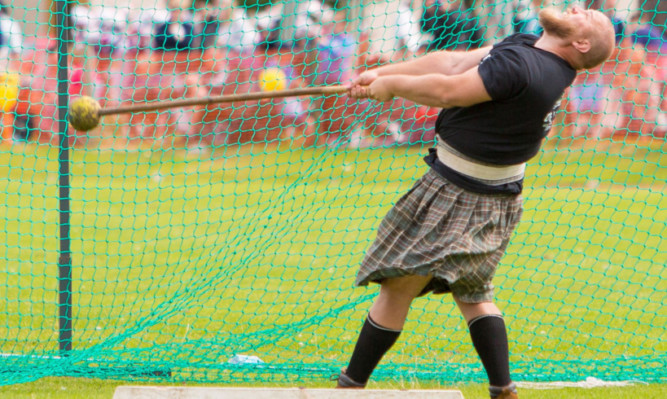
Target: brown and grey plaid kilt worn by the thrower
439, 229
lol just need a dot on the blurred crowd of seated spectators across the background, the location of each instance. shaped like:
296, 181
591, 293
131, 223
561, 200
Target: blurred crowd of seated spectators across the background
201, 48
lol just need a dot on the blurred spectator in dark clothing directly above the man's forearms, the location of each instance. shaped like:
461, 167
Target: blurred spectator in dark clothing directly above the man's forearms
453, 26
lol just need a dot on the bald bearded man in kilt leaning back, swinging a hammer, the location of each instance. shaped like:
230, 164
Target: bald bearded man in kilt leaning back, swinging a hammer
449, 232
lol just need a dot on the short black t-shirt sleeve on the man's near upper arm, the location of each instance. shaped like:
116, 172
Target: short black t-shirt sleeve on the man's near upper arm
503, 73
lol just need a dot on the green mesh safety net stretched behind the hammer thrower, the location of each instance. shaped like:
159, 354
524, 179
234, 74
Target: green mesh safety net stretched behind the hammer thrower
219, 243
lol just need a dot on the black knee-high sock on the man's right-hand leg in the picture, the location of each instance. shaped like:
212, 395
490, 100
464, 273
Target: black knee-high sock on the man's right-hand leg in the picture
489, 337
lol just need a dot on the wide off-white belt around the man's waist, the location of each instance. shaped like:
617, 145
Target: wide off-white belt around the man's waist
487, 173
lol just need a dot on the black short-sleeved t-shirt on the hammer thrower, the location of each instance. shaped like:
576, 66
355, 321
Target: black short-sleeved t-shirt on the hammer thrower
525, 84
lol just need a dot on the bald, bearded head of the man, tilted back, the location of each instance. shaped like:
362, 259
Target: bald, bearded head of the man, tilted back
586, 37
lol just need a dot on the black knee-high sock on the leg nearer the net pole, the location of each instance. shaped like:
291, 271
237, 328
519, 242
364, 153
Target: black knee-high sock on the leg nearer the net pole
374, 341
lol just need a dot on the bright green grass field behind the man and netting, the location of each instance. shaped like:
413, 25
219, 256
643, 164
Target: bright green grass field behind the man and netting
184, 260
